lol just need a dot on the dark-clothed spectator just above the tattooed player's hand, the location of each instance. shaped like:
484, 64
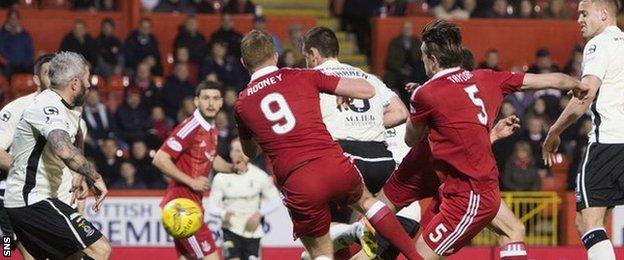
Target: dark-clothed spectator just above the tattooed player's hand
109, 160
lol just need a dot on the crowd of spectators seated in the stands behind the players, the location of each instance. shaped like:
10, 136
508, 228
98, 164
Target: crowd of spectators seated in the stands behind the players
124, 135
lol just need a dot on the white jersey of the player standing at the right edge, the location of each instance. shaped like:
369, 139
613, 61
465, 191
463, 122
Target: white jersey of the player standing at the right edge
603, 57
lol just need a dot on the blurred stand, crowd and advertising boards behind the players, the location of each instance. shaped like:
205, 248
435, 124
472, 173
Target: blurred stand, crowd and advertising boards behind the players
147, 56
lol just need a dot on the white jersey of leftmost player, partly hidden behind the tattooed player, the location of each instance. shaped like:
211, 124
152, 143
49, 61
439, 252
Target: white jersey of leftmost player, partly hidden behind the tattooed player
9, 117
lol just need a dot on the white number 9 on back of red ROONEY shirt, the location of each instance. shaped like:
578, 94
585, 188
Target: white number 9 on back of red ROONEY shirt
283, 116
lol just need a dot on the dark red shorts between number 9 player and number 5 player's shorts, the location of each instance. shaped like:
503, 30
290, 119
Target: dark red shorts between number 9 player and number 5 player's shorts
414, 179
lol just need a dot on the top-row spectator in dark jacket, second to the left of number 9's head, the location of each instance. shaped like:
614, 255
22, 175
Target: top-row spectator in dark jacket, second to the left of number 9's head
190, 38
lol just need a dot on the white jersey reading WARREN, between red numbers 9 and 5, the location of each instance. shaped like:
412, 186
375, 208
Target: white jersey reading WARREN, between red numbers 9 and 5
363, 121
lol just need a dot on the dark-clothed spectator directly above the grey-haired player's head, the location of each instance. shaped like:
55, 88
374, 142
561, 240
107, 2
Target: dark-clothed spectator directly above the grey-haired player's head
79, 41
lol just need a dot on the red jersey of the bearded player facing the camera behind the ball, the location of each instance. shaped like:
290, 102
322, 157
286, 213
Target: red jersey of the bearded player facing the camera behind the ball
193, 147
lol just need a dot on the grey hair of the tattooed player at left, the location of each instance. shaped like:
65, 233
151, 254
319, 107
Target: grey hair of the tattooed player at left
66, 66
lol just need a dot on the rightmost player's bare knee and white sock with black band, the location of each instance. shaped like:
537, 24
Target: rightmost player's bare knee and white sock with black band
590, 223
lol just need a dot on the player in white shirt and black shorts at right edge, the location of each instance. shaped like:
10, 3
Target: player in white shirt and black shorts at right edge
600, 179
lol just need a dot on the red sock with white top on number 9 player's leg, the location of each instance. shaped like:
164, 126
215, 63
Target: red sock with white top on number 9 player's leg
386, 224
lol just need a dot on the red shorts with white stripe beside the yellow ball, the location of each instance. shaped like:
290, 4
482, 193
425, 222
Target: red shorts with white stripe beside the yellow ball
198, 245
